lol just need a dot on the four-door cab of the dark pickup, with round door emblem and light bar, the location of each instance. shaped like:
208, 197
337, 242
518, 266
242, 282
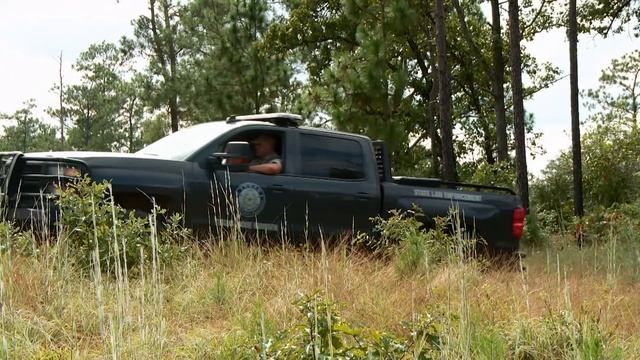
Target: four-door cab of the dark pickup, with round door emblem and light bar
328, 181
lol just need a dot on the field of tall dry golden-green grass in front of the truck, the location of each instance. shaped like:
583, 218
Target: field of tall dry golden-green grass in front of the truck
230, 299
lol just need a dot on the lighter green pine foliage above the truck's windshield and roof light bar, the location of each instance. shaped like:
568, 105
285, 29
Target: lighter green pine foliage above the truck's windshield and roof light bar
228, 71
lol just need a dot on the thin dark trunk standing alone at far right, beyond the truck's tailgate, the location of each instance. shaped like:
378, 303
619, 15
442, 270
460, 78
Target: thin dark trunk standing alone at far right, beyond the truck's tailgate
578, 207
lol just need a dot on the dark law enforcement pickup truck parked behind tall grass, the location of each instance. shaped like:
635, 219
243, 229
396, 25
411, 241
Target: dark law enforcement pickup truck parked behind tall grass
330, 180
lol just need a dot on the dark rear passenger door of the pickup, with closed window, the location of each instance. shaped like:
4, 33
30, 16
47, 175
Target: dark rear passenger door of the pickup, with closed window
337, 190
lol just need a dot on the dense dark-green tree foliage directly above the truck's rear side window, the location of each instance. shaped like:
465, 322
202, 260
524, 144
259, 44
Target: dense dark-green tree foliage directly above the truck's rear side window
360, 68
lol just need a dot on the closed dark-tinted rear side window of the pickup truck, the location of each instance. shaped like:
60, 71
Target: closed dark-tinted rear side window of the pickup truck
330, 157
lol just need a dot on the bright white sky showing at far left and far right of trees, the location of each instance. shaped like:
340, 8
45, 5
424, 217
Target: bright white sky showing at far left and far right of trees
33, 33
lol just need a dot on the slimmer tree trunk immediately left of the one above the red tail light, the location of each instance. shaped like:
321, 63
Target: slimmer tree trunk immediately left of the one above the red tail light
497, 83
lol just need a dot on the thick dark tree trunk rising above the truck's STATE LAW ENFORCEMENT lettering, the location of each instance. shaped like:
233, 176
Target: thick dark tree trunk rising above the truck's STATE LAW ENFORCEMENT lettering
444, 96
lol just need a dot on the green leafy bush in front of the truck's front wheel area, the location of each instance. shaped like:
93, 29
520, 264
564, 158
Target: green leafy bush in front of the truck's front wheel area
94, 227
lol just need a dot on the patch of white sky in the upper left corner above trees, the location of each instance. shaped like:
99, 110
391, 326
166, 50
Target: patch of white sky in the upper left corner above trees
33, 33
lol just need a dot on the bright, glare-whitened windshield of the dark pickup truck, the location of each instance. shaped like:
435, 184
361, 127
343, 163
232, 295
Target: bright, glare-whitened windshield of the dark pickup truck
182, 144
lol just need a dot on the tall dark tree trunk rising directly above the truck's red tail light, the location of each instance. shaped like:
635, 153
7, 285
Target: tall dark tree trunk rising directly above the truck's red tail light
522, 181
